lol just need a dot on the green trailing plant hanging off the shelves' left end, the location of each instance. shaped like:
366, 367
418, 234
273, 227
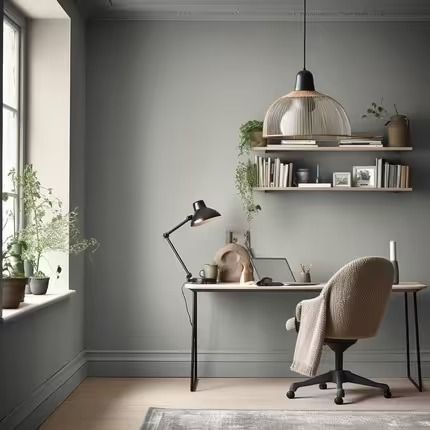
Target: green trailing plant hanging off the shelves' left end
246, 171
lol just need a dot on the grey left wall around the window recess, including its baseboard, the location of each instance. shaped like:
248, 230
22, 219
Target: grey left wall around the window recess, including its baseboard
41, 356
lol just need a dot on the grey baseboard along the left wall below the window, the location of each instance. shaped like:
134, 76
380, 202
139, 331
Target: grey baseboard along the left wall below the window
31, 413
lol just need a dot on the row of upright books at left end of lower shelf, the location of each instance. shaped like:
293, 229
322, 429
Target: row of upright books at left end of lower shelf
273, 173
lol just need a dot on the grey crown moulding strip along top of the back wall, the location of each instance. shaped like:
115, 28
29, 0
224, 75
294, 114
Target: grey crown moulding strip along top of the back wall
249, 10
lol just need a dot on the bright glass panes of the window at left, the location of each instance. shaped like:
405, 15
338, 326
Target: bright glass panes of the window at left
12, 122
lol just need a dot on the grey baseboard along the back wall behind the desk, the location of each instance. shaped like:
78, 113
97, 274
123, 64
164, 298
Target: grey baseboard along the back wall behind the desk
240, 364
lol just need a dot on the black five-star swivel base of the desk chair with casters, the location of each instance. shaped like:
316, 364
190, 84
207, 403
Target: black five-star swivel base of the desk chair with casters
339, 376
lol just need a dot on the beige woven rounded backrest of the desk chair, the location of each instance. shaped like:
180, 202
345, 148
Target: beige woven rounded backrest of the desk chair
357, 297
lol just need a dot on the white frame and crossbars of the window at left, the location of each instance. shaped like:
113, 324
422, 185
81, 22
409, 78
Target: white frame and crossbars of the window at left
16, 19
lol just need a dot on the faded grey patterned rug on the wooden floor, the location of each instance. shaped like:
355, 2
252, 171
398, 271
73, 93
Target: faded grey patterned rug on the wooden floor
213, 419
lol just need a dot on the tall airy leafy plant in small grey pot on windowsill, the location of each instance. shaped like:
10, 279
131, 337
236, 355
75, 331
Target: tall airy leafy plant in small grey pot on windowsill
47, 227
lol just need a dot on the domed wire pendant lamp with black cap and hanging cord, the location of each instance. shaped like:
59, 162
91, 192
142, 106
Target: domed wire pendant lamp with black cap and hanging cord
305, 112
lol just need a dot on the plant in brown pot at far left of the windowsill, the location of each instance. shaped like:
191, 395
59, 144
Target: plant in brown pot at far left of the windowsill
13, 281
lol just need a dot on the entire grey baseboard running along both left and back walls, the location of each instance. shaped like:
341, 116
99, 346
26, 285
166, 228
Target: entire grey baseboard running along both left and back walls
117, 363
